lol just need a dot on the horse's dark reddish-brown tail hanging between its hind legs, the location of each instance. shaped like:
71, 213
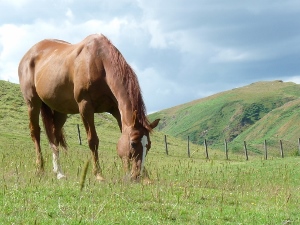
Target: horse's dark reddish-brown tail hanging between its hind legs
48, 120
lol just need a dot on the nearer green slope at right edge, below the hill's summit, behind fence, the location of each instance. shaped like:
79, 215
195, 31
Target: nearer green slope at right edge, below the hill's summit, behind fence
282, 123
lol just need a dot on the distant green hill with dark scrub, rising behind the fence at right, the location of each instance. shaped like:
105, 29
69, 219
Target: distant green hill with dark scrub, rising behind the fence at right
230, 115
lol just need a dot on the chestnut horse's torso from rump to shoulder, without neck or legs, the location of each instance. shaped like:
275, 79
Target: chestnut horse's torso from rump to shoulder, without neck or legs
60, 74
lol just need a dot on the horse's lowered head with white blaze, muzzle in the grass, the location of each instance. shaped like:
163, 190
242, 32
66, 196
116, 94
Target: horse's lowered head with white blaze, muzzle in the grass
134, 145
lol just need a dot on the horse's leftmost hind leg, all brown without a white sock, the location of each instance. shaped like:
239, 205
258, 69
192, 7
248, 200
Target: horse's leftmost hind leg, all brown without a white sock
34, 106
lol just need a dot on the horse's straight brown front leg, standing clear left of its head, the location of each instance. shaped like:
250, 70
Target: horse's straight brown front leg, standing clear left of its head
87, 115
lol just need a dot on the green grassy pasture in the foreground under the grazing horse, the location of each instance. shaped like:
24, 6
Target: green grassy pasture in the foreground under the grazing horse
184, 190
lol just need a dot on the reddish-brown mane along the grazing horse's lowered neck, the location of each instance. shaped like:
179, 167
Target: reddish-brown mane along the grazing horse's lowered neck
129, 79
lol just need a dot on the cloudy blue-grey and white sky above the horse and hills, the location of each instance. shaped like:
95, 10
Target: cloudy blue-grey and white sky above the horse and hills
181, 50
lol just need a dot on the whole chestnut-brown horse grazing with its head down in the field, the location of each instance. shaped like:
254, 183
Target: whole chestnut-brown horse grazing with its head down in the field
58, 78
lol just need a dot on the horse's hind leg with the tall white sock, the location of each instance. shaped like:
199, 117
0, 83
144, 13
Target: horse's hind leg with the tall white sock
59, 120
